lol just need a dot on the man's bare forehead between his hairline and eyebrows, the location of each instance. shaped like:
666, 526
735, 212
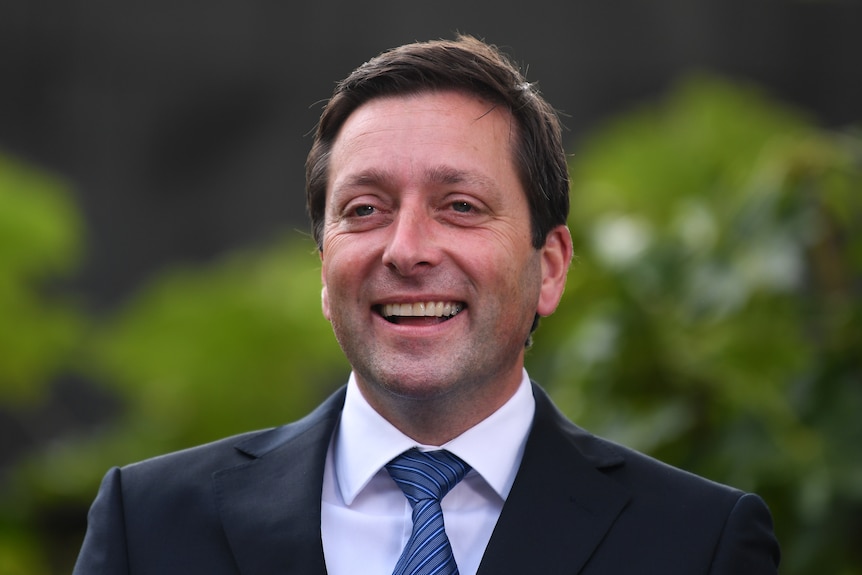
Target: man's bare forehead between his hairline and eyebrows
432, 131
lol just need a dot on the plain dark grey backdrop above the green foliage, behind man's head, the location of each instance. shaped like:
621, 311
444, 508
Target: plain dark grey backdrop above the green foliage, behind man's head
184, 125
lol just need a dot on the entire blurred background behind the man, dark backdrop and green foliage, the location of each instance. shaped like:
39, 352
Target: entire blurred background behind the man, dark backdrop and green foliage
178, 131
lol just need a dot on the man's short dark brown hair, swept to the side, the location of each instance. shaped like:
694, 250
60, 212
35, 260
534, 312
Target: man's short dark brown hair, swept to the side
466, 65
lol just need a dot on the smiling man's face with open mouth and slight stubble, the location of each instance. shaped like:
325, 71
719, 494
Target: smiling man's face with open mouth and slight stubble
429, 277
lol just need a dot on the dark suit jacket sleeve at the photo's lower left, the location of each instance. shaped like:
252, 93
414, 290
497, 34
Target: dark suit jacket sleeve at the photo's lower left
104, 549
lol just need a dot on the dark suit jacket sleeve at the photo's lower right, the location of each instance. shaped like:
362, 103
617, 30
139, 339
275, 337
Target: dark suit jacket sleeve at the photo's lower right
747, 545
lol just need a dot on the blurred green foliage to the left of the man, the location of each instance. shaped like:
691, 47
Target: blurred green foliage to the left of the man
197, 354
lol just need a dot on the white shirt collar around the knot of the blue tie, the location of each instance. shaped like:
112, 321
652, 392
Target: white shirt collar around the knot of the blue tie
364, 442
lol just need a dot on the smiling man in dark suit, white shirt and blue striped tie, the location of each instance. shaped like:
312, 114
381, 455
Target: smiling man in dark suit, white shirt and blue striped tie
438, 196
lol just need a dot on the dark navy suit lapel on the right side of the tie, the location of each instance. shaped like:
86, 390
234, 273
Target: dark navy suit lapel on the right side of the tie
561, 505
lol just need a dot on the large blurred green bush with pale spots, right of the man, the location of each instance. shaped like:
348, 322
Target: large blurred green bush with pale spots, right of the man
713, 315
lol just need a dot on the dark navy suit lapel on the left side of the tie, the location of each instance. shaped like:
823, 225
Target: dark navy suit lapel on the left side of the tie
270, 505
